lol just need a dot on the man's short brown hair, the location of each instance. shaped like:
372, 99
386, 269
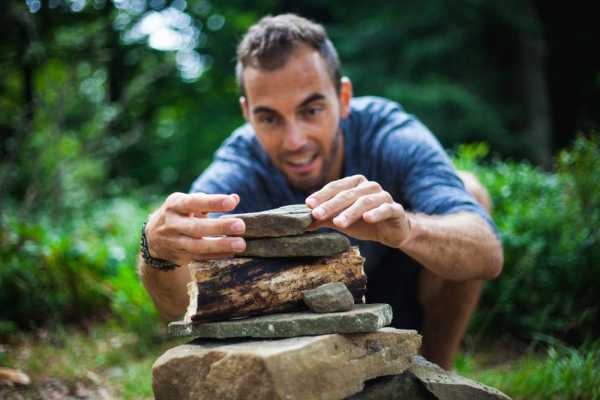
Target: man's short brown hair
269, 43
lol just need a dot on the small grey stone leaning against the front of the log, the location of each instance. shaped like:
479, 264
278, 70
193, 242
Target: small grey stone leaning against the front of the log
330, 297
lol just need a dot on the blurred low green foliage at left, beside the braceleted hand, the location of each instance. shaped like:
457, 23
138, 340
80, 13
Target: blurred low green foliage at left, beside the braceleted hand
79, 269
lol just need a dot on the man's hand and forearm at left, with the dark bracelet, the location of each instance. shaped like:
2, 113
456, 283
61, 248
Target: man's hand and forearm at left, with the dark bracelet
180, 231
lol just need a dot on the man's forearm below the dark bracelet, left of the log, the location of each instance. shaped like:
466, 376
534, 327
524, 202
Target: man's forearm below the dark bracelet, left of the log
168, 289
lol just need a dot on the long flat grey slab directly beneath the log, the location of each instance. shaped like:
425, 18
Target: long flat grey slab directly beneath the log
363, 318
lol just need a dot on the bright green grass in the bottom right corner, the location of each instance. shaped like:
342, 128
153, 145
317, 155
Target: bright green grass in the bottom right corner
565, 372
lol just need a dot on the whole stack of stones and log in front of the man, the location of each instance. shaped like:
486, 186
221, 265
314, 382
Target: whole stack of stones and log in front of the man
287, 320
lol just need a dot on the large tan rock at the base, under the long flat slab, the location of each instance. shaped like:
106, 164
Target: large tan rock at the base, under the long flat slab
304, 368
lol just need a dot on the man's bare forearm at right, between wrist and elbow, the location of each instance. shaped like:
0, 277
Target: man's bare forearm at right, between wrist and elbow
455, 247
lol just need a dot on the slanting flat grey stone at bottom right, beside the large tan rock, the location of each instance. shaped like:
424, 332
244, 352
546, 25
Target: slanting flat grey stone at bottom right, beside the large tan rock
445, 385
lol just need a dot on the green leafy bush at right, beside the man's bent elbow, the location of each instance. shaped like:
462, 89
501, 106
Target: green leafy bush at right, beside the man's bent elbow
549, 225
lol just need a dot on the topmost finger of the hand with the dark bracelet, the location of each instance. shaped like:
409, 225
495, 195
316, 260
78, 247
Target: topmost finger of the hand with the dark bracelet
201, 203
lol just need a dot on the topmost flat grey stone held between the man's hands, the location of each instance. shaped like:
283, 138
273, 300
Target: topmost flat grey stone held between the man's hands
283, 221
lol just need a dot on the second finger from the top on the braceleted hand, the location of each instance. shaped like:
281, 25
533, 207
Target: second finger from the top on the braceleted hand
200, 227
